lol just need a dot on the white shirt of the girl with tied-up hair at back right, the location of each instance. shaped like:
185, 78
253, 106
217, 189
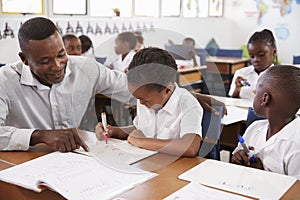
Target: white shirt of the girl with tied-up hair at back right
251, 76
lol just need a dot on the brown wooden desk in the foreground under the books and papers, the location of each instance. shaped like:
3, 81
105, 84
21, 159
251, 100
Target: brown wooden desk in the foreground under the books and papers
157, 188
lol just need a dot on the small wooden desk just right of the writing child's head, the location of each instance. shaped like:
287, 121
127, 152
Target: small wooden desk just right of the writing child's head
190, 78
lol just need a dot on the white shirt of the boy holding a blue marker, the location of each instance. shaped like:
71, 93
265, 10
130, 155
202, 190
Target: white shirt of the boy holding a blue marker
281, 153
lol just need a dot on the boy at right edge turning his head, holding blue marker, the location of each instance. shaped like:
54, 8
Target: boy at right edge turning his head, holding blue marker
276, 140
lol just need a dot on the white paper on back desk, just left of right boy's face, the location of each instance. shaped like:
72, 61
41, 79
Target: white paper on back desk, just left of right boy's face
234, 114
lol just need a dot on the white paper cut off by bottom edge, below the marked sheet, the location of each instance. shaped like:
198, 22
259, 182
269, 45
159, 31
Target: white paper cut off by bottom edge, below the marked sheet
195, 191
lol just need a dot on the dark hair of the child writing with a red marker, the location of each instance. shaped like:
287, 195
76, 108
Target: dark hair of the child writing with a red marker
152, 67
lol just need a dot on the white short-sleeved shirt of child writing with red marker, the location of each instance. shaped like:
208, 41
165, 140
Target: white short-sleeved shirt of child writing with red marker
182, 114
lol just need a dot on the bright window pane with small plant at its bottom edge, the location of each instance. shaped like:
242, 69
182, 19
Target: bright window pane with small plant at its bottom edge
104, 8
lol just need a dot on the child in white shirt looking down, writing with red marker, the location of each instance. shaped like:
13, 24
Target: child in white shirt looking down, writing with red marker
168, 117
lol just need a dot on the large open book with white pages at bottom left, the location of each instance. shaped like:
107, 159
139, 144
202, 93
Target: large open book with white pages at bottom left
74, 176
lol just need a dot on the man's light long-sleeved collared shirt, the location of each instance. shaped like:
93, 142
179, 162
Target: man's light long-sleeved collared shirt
26, 104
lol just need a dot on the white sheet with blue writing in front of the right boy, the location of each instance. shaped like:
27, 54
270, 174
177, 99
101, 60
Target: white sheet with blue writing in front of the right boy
239, 179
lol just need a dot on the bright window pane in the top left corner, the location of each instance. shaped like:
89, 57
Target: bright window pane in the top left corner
22, 6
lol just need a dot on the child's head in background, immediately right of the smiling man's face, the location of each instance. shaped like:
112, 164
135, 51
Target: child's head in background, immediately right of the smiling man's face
72, 44
